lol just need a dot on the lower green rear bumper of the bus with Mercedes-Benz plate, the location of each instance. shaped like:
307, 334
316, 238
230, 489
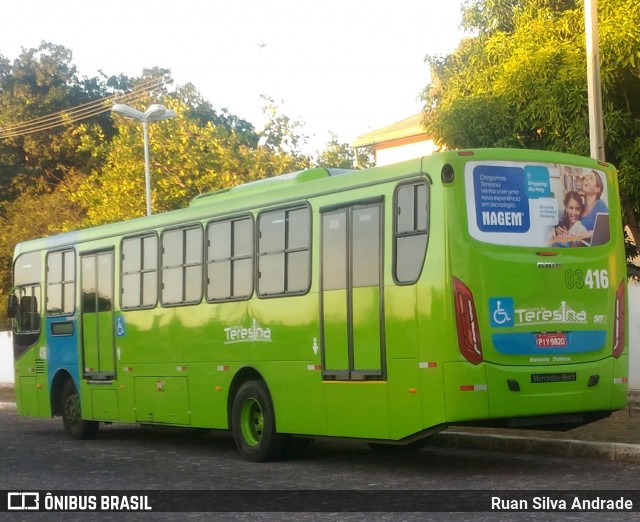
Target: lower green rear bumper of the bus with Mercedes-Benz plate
489, 391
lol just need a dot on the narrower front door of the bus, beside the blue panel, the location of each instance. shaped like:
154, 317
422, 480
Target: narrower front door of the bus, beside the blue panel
98, 342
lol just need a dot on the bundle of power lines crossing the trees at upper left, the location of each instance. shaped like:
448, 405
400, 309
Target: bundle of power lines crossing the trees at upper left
81, 112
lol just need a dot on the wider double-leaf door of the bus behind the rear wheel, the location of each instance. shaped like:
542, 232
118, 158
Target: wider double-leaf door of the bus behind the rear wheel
351, 298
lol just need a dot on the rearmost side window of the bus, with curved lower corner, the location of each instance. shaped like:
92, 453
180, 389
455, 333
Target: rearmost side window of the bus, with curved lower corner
411, 231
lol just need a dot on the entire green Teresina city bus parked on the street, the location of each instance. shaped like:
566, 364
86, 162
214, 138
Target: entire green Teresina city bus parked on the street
476, 287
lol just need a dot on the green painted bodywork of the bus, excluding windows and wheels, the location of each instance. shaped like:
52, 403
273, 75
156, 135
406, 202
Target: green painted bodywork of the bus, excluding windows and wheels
376, 362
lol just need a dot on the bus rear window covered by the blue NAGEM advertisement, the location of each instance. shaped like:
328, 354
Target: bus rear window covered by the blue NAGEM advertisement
537, 205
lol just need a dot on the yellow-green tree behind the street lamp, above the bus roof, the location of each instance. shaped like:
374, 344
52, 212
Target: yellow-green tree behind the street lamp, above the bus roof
194, 153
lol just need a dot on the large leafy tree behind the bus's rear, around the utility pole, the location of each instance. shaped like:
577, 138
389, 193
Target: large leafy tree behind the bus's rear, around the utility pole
521, 82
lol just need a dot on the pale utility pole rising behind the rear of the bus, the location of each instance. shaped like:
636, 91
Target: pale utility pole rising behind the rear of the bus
596, 127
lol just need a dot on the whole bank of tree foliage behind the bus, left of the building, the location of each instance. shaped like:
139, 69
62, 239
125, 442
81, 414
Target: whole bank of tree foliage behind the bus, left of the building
86, 173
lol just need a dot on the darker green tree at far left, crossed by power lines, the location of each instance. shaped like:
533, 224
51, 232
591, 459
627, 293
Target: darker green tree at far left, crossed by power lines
41, 82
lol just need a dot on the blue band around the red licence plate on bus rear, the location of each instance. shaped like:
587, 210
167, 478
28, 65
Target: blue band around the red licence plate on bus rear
522, 343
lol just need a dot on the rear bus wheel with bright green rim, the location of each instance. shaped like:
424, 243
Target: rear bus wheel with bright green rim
253, 424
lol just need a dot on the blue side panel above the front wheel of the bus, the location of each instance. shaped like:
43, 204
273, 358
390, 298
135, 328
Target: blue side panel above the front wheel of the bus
62, 344
